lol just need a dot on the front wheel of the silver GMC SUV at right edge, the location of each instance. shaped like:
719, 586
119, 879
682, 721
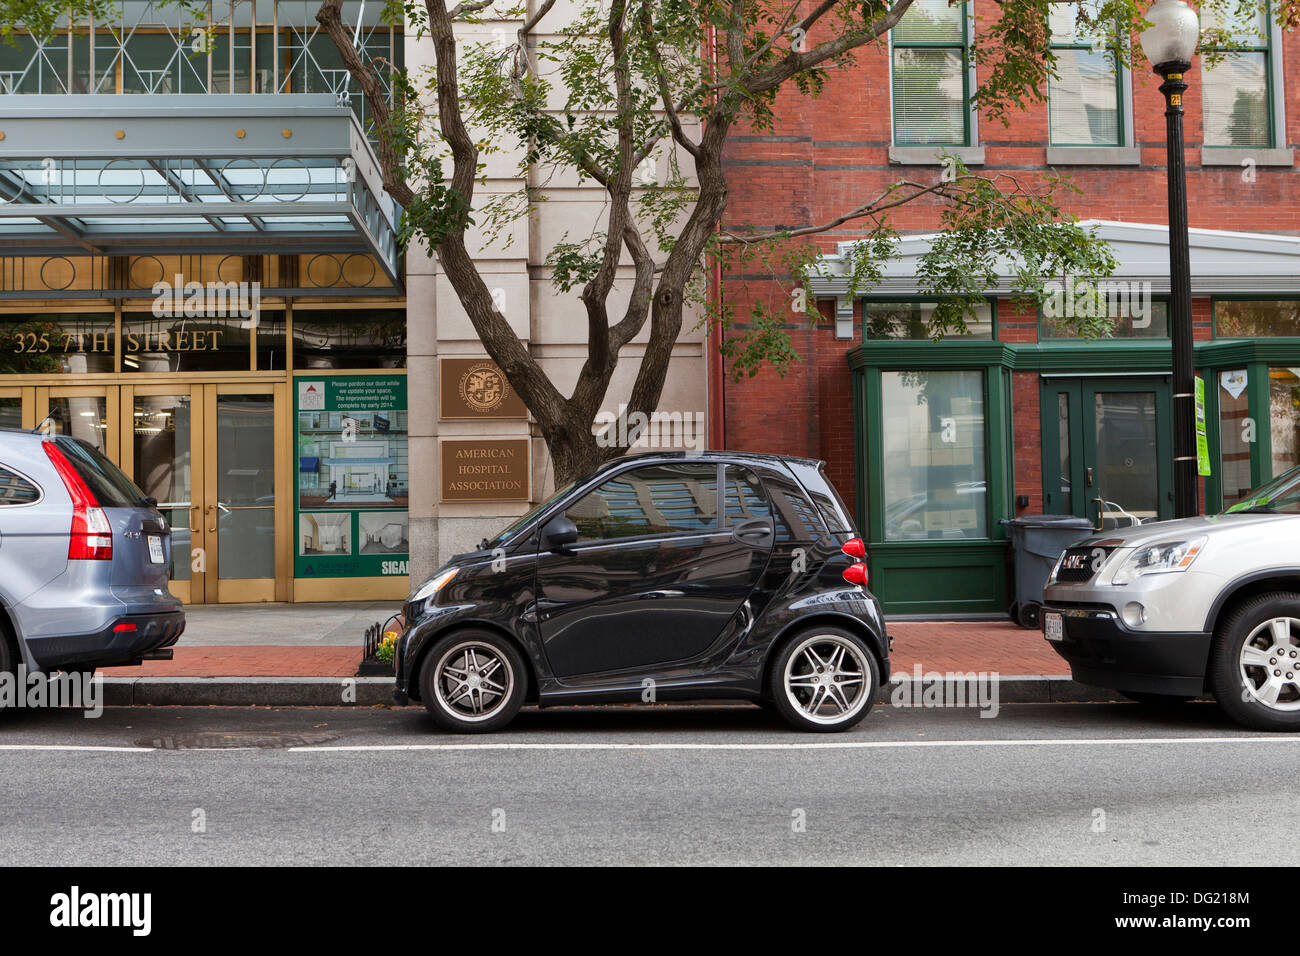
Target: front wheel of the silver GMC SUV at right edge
1255, 665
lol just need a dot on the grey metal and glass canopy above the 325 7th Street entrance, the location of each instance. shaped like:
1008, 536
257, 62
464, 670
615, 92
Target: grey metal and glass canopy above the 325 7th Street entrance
242, 174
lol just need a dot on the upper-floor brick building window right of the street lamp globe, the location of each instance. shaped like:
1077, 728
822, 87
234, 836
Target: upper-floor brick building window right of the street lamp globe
1238, 97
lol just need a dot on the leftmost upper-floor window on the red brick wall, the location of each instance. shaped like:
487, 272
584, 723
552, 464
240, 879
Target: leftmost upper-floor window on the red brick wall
931, 76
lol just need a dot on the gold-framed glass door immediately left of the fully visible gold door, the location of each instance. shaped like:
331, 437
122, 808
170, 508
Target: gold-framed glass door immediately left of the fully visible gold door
163, 453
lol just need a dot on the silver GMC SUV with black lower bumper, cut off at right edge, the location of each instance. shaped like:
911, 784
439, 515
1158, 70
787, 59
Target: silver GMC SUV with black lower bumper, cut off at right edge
1173, 609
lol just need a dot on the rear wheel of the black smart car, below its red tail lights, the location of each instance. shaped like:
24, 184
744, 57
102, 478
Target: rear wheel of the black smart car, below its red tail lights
825, 680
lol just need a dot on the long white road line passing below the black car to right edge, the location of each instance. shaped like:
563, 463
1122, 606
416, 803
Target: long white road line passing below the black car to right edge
808, 746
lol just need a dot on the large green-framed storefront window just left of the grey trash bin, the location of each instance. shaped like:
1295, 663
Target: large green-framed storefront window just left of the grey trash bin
934, 456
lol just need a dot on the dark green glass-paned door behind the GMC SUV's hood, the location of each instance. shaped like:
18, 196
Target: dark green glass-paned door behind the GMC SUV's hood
1107, 449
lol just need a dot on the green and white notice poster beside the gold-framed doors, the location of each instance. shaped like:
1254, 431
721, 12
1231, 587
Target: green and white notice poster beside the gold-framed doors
350, 511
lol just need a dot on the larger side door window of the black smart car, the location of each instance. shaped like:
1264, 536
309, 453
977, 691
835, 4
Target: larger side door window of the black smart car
652, 500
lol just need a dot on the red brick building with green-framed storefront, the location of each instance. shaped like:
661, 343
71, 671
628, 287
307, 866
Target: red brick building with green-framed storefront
934, 444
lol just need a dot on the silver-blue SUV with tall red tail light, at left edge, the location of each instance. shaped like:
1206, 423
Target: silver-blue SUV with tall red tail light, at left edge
84, 561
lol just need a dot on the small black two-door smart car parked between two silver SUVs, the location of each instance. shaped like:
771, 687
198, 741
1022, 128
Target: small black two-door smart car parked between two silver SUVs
658, 577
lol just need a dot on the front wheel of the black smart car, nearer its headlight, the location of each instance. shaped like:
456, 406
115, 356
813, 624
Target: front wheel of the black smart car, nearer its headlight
474, 682
